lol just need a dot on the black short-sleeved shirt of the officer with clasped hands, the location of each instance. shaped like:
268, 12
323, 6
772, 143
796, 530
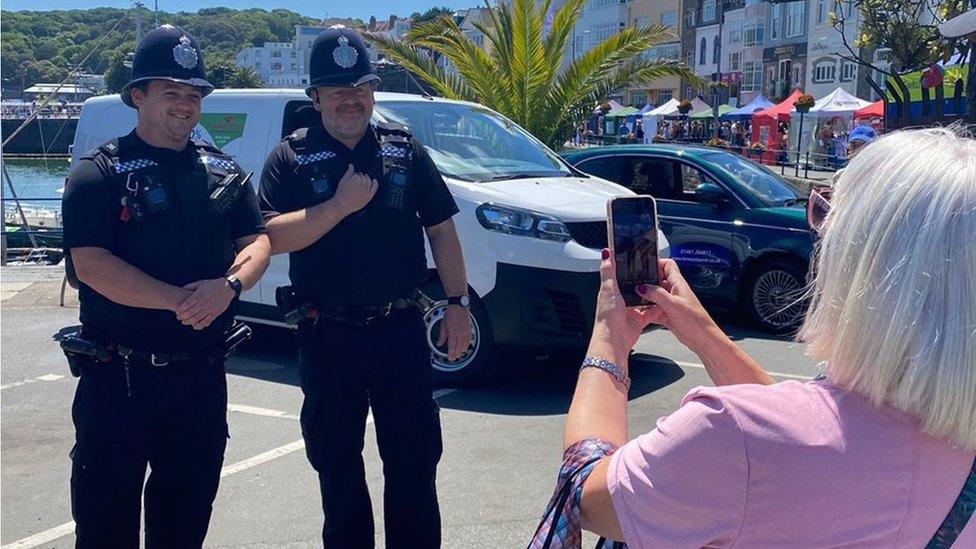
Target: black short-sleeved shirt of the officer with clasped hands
185, 244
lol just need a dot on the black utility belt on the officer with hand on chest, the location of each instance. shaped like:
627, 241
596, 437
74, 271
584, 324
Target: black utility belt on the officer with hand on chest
300, 310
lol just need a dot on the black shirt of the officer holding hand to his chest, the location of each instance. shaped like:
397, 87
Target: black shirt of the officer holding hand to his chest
375, 255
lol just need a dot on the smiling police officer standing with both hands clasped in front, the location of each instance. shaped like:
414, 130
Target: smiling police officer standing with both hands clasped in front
164, 233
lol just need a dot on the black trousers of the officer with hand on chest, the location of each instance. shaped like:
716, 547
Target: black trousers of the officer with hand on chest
345, 371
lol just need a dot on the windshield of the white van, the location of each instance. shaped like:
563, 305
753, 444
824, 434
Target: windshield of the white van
473, 143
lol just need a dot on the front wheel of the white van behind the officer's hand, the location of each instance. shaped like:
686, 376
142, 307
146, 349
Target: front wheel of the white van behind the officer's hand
476, 359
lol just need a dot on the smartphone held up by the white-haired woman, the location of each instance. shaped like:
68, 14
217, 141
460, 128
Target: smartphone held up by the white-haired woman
632, 233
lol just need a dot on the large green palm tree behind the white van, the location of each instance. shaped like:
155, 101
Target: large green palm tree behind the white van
519, 73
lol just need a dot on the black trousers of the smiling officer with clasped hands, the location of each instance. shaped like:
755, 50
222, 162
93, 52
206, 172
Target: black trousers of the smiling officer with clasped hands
173, 418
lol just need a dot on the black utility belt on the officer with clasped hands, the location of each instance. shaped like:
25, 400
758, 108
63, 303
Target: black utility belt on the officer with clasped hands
82, 350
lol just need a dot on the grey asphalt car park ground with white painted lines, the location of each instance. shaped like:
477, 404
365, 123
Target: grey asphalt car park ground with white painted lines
502, 436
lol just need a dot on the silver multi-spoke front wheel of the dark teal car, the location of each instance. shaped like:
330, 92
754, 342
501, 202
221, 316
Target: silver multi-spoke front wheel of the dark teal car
775, 296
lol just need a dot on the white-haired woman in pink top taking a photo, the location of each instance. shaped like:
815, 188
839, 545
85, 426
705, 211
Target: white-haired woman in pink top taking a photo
880, 453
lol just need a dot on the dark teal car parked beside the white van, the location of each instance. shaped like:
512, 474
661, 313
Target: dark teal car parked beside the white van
737, 230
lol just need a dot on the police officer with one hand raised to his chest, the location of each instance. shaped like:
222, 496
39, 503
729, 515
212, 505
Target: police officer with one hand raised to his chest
351, 201
